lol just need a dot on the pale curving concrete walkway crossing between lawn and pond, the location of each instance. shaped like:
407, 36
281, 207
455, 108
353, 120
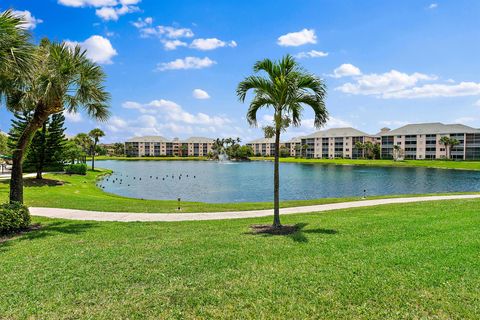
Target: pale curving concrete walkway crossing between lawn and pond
130, 217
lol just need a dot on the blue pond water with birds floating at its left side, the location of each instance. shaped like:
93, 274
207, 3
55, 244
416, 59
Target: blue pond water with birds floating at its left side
209, 181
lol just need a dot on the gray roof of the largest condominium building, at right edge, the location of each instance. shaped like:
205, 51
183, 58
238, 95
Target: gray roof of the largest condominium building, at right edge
430, 128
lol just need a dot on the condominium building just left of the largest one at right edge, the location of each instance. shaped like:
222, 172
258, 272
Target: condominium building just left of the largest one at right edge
335, 143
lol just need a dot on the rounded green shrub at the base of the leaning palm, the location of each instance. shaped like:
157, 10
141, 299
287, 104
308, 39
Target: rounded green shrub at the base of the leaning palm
13, 217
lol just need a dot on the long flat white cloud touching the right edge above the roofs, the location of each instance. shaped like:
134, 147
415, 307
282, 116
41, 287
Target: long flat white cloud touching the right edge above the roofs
437, 90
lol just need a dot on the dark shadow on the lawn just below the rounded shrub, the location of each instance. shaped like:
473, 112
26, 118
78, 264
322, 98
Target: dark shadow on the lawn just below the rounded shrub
45, 231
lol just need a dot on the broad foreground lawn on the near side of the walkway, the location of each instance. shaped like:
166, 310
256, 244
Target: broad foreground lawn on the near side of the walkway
409, 261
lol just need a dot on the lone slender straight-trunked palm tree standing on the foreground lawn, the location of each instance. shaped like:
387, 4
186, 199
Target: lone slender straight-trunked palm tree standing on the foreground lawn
287, 88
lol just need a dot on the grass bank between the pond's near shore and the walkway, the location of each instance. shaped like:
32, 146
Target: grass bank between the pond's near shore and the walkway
80, 192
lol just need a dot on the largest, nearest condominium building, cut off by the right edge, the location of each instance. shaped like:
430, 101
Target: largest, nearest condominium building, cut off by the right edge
422, 141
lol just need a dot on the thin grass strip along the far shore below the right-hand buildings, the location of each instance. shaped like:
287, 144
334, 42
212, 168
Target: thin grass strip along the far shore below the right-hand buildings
439, 164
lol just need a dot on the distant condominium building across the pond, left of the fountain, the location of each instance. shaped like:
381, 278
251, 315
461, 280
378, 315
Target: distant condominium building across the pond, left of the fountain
149, 146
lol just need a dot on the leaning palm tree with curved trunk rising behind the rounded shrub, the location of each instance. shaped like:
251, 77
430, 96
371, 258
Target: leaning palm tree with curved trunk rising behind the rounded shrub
62, 79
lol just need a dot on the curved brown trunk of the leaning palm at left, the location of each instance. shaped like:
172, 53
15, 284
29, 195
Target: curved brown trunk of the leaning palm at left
16, 180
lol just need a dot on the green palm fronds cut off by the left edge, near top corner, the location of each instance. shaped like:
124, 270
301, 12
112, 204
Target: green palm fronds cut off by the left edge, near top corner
16, 52
